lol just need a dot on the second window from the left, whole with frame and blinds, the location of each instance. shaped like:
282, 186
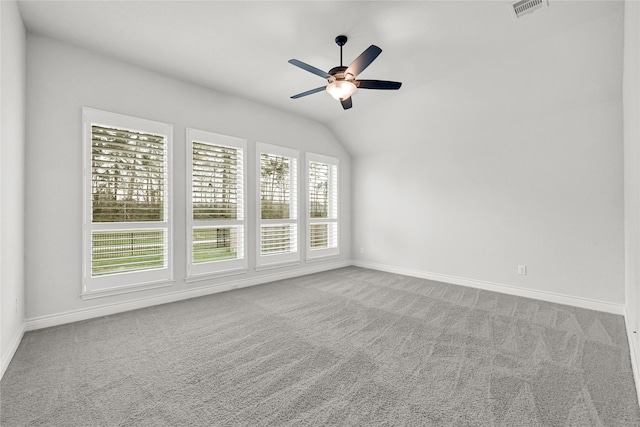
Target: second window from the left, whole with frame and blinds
215, 222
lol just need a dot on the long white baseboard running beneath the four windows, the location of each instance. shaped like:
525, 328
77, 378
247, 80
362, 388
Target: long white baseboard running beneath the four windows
108, 309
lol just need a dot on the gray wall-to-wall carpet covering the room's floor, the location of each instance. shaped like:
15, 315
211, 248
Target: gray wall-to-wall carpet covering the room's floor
346, 347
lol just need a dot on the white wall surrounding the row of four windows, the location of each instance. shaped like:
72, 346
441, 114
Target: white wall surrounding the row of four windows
61, 79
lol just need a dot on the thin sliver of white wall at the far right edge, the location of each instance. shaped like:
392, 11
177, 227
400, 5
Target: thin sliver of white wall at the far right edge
631, 105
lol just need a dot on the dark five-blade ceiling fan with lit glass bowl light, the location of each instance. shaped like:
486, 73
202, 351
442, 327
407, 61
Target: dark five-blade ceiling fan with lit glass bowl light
342, 81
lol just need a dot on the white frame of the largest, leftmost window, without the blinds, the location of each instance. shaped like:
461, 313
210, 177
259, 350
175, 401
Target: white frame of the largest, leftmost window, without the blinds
112, 284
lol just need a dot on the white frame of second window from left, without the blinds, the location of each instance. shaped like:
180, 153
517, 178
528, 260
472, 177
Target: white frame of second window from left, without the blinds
212, 269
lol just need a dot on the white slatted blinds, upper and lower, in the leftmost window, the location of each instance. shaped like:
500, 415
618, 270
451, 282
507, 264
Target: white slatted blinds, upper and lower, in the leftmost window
128, 180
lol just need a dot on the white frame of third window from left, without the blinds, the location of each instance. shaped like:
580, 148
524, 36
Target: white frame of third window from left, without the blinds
288, 258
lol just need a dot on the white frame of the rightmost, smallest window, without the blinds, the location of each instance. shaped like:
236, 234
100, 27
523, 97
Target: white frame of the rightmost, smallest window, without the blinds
334, 206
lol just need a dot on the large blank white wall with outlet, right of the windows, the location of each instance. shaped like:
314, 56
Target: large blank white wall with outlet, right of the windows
517, 160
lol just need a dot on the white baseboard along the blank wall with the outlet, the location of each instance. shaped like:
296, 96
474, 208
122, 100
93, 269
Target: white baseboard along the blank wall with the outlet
498, 287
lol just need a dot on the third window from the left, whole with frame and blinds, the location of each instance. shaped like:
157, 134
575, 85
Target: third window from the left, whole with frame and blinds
278, 205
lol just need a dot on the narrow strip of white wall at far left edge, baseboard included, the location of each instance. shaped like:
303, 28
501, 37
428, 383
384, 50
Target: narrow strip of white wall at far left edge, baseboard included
12, 179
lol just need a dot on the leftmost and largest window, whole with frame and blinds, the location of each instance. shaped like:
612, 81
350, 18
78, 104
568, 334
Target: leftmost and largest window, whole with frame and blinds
127, 224
